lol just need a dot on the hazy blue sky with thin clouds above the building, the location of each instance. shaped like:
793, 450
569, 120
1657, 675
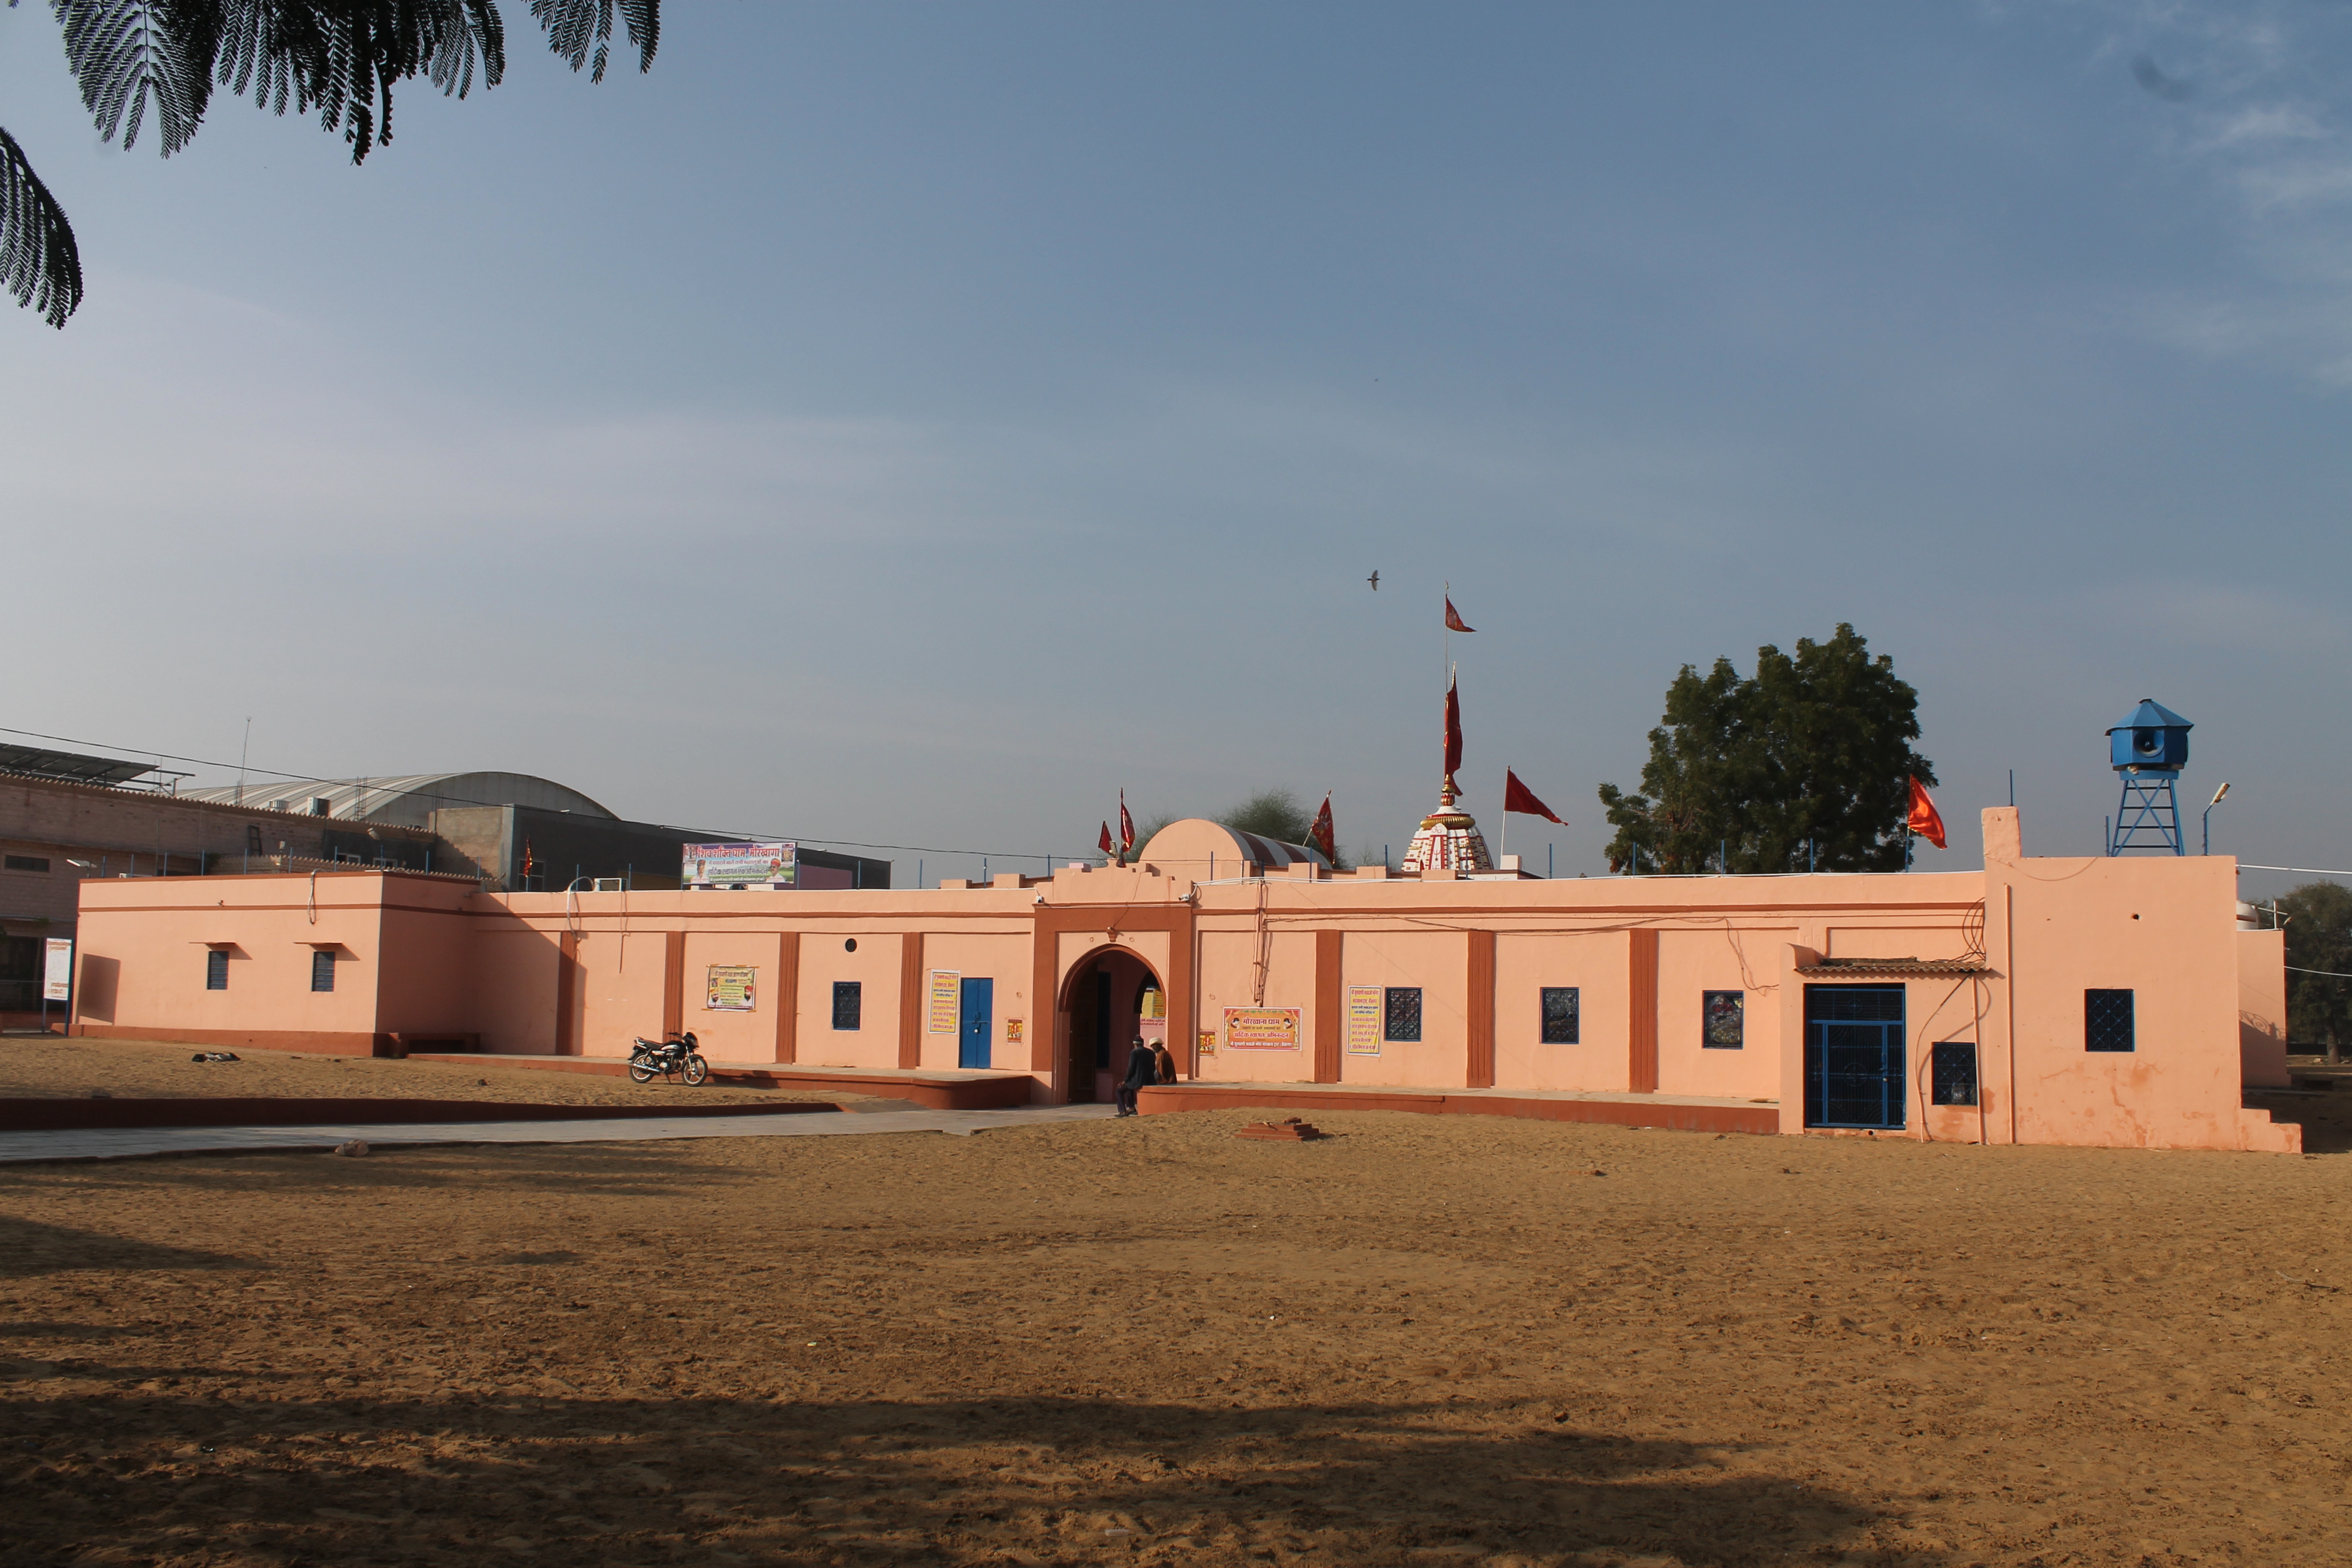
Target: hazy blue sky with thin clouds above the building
909, 424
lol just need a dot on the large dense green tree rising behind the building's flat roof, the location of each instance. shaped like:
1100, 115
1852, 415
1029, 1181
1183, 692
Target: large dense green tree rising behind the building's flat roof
1805, 758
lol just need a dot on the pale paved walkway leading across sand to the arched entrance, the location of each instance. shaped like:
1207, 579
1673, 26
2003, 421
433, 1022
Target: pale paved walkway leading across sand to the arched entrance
131, 1144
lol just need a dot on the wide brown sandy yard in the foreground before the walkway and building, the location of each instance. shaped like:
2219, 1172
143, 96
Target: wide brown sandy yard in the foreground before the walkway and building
1147, 1341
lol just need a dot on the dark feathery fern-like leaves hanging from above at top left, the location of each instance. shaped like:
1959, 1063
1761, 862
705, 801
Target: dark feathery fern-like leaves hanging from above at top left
338, 58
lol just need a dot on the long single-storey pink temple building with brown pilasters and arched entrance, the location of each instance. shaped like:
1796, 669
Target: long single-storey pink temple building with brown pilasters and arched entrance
2040, 1000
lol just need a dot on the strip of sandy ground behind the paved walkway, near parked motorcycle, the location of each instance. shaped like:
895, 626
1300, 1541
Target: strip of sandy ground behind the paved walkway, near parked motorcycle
126, 1068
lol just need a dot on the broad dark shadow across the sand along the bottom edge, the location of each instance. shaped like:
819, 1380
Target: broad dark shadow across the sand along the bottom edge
935, 1482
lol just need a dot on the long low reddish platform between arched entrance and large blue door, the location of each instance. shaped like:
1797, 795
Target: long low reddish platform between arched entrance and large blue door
1678, 1113
